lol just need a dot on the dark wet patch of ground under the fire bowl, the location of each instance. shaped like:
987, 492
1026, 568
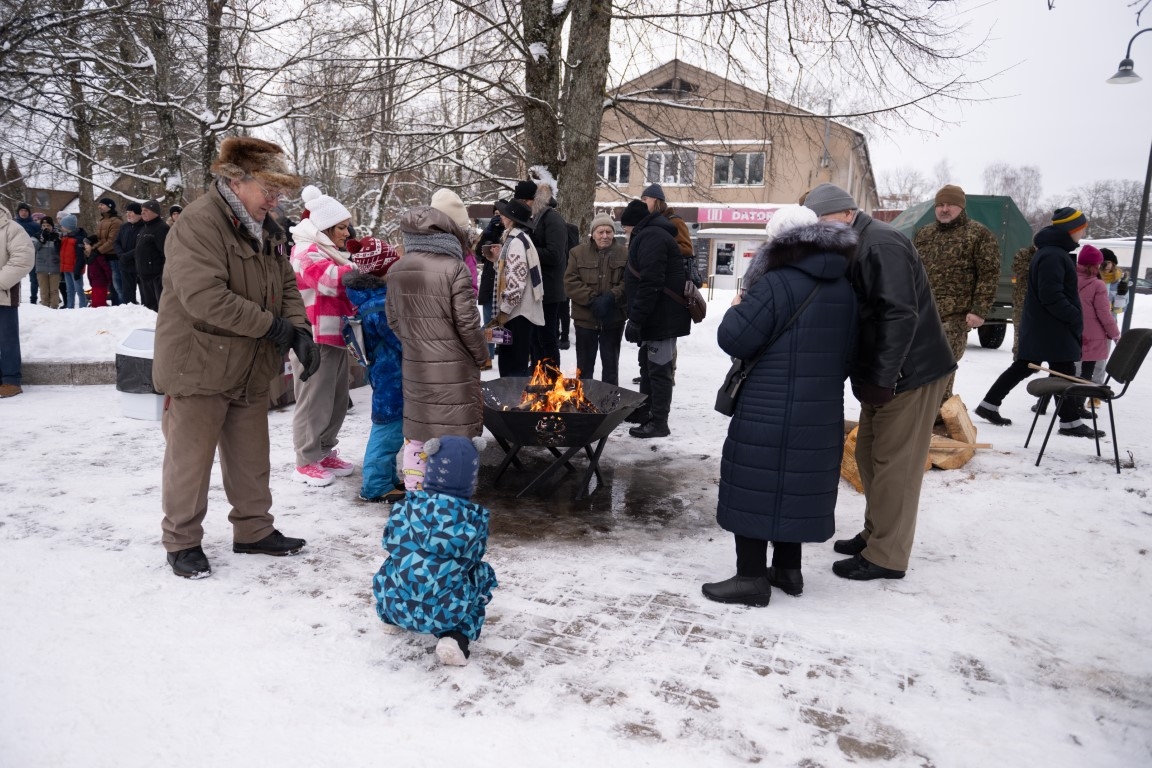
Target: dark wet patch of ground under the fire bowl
668, 491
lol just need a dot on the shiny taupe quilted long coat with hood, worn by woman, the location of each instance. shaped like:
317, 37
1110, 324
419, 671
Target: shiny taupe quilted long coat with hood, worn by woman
431, 308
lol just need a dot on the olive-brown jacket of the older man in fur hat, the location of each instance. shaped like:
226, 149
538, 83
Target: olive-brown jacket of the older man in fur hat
221, 295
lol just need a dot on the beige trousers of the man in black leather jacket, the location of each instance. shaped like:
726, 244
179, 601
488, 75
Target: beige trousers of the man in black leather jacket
892, 447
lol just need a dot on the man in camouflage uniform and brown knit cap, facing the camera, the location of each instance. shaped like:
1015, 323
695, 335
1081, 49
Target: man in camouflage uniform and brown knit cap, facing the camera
962, 261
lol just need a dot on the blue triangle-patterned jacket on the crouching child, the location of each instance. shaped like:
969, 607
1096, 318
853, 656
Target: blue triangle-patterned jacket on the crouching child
434, 580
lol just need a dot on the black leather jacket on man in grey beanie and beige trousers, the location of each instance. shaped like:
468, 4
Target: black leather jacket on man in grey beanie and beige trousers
903, 344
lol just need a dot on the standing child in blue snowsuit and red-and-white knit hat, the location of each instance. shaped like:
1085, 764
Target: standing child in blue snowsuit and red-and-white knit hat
367, 288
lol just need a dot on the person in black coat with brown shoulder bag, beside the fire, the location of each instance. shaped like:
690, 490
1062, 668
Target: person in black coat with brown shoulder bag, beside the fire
654, 279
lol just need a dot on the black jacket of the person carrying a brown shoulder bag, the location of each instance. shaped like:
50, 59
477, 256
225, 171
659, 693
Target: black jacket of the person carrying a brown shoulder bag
655, 263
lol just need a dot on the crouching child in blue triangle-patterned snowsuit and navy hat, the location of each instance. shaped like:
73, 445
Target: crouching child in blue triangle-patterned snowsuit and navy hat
435, 580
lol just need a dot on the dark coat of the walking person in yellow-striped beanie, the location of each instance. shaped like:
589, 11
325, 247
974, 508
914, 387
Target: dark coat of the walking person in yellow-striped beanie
1054, 323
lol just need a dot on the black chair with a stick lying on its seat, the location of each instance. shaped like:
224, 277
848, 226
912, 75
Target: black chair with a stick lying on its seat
1126, 361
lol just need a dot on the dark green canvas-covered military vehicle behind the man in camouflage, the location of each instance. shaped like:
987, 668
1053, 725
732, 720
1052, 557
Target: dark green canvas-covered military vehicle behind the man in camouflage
1013, 233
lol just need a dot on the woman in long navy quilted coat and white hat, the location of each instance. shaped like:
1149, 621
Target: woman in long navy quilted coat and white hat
780, 469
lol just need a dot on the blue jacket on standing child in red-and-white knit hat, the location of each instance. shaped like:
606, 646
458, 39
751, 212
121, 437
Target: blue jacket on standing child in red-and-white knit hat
367, 294
